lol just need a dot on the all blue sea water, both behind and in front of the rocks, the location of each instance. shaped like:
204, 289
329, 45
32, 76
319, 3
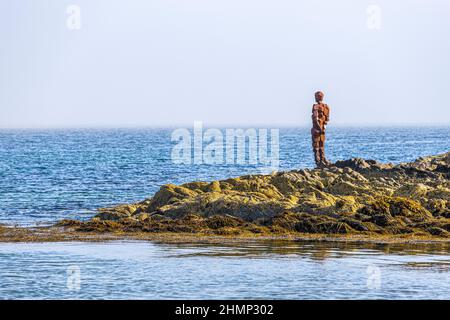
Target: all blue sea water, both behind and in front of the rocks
48, 175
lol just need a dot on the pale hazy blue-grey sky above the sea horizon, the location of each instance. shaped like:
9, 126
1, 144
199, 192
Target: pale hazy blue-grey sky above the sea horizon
224, 62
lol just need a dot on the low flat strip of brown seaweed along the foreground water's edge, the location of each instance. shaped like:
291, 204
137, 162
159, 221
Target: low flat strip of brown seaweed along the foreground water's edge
58, 234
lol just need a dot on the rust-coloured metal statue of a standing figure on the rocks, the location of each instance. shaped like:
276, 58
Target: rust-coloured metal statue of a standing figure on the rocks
320, 117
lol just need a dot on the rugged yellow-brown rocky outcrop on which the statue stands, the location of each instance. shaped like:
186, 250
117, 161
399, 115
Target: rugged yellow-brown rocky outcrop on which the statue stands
351, 196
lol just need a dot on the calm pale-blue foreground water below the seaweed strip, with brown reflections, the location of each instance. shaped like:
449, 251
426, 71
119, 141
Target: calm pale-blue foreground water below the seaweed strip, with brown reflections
271, 270
